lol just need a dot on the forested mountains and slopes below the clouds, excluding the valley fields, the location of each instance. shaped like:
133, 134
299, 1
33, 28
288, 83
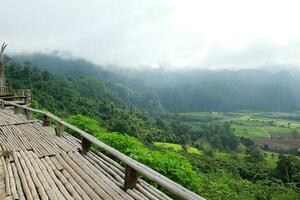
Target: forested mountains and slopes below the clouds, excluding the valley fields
132, 115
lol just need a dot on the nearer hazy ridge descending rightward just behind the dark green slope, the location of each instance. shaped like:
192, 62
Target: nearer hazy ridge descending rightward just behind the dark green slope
132, 91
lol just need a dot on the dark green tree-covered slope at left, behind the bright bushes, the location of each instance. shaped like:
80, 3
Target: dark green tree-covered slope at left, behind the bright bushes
82, 95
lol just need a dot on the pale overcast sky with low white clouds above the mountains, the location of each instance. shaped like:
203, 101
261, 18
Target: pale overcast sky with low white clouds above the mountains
174, 33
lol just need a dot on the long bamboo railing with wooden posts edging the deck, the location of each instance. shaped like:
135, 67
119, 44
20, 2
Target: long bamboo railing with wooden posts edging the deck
133, 168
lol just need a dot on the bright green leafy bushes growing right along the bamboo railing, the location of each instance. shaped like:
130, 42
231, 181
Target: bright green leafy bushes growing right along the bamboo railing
171, 164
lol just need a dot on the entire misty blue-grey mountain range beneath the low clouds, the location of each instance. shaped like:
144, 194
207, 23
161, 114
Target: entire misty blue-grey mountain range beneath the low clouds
185, 91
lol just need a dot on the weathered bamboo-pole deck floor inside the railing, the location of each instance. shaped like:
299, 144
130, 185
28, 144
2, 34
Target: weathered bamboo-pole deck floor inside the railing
37, 164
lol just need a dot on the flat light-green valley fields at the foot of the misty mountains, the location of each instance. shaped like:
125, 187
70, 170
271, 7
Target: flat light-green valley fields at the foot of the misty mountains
252, 124
